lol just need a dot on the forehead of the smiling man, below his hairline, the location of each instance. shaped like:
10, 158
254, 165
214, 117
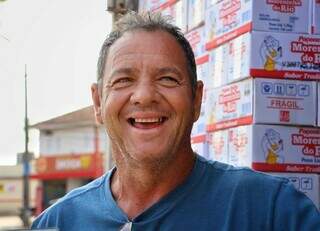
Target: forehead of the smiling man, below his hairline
144, 46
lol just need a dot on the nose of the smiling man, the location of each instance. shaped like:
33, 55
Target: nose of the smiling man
144, 93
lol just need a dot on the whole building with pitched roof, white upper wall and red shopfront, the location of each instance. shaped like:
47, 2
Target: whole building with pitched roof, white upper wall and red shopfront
73, 151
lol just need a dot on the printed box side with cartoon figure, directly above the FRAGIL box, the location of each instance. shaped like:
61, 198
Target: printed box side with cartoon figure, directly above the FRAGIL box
289, 56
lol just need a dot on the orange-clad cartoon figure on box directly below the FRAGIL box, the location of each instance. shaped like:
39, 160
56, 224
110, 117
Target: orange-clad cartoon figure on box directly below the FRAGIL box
272, 145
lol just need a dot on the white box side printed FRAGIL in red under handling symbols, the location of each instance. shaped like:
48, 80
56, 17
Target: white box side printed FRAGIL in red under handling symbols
289, 102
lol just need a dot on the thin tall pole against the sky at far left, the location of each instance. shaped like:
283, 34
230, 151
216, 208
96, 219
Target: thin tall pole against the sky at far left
26, 167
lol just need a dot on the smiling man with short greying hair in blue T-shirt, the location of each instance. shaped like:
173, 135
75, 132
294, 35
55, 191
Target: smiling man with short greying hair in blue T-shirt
148, 98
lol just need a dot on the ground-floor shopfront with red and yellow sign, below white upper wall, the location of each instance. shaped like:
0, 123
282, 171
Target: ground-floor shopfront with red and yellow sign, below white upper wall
60, 174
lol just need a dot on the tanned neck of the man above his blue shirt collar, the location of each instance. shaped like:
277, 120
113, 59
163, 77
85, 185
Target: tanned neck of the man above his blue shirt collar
137, 188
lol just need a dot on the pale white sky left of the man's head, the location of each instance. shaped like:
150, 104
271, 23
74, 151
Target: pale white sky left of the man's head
59, 42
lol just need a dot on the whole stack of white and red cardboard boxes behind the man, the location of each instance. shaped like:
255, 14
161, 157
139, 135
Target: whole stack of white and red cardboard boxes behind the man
260, 68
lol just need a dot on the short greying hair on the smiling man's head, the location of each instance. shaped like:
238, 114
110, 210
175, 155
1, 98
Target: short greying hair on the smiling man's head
148, 21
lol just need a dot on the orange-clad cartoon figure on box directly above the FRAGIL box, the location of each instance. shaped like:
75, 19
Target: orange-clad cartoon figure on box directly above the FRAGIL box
270, 52
